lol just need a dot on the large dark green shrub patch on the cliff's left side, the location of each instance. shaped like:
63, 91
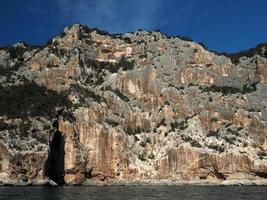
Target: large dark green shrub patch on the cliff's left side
30, 99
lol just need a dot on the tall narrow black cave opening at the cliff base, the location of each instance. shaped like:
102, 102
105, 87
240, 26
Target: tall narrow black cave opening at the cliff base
55, 164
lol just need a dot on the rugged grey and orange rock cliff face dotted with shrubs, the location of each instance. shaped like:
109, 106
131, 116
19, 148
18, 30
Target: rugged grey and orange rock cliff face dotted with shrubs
90, 106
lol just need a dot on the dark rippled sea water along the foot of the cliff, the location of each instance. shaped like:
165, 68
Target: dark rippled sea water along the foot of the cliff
135, 192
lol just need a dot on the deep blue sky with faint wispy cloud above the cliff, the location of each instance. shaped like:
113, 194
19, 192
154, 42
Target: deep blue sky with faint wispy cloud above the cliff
223, 25
